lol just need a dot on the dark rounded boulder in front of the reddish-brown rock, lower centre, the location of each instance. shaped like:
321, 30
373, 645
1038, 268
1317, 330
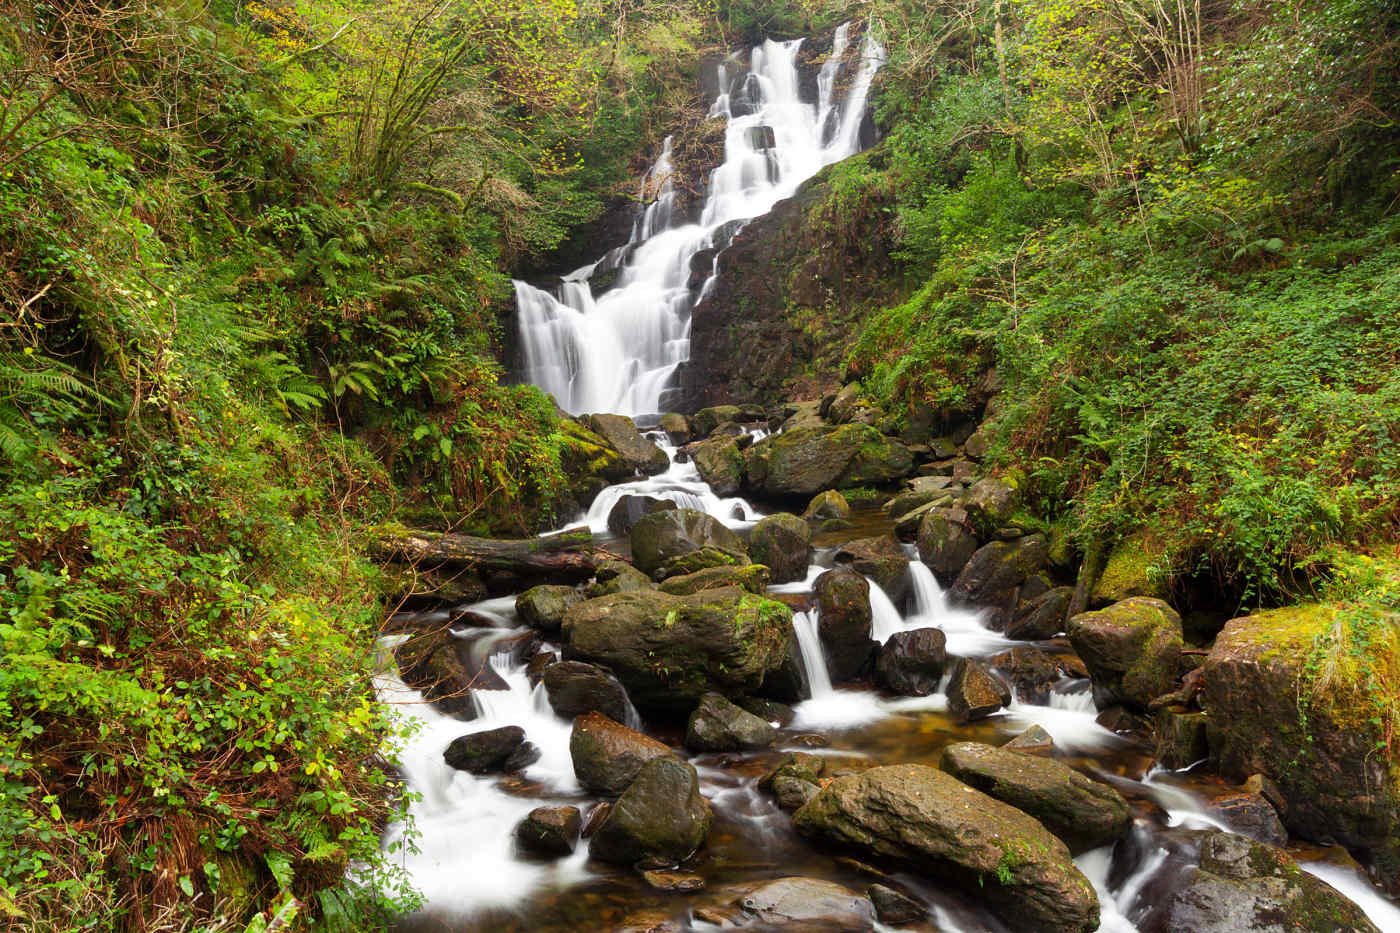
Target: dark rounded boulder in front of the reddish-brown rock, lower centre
660, 820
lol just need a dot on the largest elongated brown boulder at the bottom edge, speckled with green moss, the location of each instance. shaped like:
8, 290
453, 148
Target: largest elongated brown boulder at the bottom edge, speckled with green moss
937, 824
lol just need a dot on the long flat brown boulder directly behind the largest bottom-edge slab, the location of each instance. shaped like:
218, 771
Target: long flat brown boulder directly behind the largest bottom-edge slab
1084, 813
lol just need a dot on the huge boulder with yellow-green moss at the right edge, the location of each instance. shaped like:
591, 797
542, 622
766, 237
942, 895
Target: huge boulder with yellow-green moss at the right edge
1270, 714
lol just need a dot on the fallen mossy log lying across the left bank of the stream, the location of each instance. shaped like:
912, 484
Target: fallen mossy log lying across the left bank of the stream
568, 554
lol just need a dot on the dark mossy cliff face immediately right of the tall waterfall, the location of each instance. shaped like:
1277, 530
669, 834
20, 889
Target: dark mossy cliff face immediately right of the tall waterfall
789, 296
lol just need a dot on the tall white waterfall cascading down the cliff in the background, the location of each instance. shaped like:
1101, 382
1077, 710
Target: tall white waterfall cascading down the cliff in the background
618, 351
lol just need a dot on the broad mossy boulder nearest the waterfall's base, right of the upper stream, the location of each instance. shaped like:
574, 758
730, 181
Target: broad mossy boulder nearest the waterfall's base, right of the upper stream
810, 460
